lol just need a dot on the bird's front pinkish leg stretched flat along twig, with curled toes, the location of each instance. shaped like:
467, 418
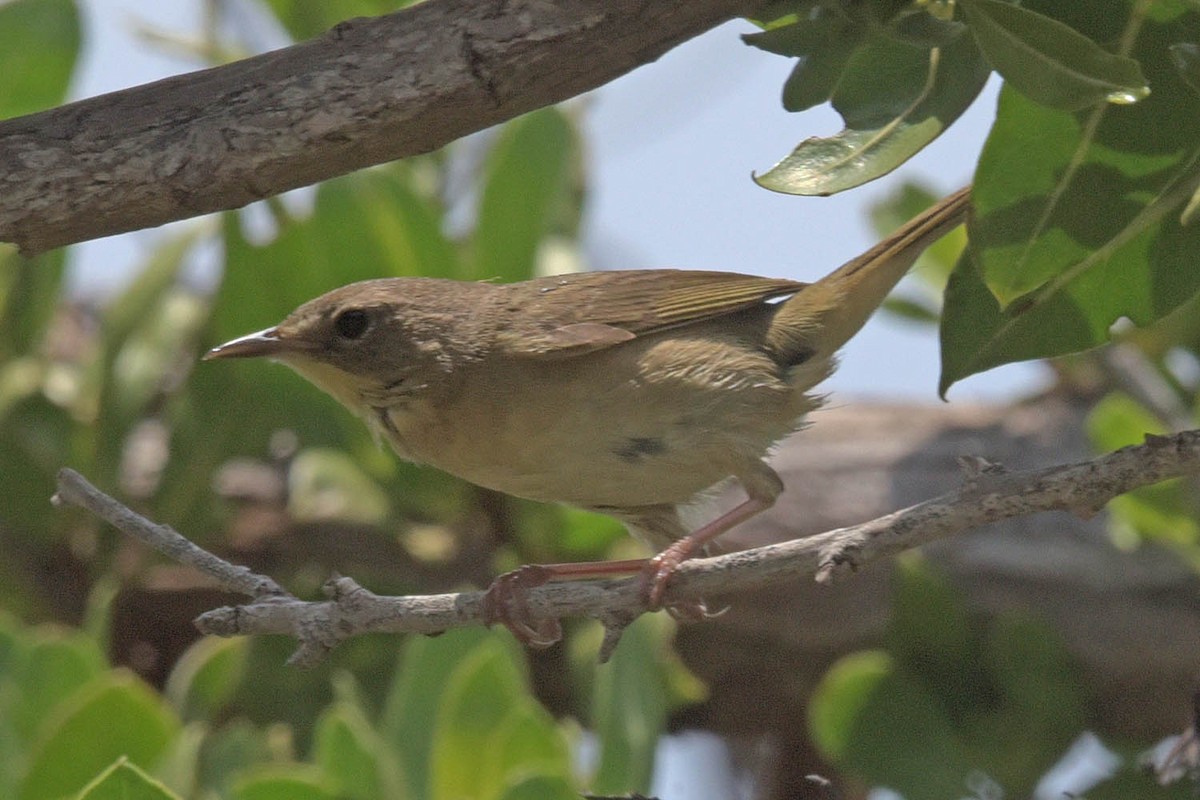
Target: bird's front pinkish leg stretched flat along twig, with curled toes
507, 601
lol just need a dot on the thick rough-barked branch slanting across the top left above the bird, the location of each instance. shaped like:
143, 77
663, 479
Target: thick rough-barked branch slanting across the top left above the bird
368, 92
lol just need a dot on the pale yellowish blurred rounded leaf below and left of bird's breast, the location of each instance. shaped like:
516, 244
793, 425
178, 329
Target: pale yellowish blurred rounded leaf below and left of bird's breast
326, 484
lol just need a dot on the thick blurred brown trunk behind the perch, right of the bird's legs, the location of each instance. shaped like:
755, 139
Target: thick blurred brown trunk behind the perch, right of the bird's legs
1130, 619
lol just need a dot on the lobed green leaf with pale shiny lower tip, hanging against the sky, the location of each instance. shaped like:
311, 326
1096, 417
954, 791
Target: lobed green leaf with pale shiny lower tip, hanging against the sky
895, 99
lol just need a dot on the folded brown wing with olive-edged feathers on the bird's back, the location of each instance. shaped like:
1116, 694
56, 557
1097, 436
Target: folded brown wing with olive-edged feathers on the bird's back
571, 315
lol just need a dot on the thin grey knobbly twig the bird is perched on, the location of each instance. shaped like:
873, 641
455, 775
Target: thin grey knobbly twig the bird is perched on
989, 495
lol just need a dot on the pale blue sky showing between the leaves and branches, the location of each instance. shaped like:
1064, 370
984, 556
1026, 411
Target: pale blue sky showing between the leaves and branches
671, 151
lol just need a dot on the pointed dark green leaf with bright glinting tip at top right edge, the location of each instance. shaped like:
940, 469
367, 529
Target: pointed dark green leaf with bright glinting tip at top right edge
1049, 62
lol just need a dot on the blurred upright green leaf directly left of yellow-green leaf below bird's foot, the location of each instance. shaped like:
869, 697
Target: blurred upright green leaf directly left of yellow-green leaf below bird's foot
412, 707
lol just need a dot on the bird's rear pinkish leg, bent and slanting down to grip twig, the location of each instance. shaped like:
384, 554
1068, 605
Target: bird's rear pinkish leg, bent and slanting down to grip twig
763, 486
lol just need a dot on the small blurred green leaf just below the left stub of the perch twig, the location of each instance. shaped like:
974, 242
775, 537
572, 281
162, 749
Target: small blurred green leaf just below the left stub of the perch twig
206, 677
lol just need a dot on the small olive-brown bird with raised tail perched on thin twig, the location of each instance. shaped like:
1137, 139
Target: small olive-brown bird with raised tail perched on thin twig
628, 394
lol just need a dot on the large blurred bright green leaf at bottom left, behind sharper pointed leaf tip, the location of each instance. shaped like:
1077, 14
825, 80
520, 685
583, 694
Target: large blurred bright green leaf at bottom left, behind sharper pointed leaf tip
117, 715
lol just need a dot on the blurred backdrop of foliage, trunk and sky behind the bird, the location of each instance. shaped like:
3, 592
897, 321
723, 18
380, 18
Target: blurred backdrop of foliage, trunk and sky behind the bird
1045, 658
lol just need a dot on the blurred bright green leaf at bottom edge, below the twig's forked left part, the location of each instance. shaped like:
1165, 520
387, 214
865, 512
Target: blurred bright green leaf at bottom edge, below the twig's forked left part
353, 755
